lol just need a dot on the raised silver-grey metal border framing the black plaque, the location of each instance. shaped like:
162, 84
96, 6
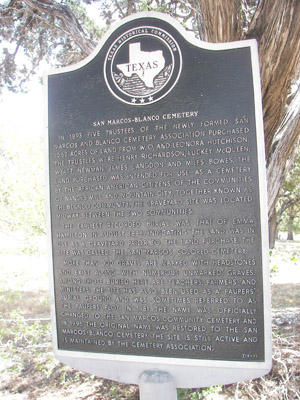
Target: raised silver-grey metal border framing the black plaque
186, 372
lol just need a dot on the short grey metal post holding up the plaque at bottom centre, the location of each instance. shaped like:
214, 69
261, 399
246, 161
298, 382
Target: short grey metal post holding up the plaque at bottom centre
157, 385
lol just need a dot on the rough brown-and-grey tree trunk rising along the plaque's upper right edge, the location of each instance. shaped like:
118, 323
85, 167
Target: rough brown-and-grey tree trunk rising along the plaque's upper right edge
276, 25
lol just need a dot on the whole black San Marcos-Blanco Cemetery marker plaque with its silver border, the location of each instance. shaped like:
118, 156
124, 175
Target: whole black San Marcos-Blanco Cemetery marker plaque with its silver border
157, 204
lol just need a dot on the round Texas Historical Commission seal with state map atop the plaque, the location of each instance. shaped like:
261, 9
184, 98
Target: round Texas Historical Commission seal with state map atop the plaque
142, 65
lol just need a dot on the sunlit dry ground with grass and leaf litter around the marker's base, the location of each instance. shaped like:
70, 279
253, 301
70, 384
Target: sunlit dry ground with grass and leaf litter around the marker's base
28, 369
